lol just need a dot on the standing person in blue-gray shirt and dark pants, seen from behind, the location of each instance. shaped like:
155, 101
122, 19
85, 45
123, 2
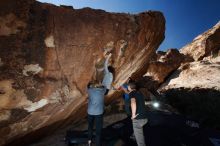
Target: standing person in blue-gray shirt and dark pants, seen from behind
95, 110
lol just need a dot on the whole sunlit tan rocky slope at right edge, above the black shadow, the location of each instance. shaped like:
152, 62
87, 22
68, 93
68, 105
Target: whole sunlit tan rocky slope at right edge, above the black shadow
199, 74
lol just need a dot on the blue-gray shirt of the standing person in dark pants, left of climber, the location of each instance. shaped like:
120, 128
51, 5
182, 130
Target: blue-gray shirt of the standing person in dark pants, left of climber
96, 101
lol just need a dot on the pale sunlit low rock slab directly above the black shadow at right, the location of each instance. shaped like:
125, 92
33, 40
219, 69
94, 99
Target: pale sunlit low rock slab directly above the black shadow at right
202, 74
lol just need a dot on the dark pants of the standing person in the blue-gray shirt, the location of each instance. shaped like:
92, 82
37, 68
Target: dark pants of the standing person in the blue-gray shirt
98, 123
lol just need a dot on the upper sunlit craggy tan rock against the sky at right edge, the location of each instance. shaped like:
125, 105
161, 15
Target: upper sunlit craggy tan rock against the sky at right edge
206, 44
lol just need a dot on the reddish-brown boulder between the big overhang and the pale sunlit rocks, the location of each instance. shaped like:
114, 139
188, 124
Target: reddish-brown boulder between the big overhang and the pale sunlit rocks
165, 64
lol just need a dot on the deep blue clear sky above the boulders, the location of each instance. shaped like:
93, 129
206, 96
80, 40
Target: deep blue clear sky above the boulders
185, 19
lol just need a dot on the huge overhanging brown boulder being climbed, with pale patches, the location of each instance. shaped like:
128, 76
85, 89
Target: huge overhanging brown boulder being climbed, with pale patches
48, 54
